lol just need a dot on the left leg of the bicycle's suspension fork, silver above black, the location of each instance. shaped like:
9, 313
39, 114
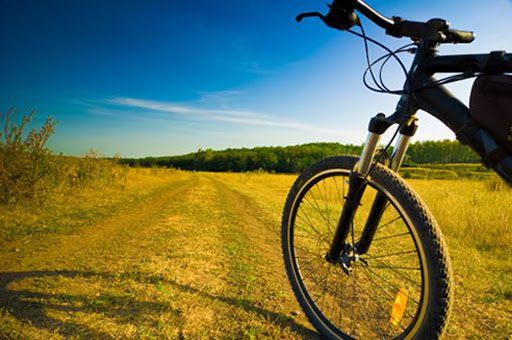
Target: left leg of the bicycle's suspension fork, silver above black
378, 125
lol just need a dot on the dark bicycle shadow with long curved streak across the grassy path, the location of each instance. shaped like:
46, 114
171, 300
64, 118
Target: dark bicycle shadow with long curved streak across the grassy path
33, 299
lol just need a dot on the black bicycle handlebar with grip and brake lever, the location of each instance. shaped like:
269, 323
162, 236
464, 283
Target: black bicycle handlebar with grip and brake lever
342, 16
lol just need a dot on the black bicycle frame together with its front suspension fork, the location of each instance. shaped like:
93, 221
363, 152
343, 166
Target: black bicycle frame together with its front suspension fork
440, 103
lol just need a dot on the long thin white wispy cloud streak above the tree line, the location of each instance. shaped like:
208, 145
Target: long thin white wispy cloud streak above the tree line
241, 117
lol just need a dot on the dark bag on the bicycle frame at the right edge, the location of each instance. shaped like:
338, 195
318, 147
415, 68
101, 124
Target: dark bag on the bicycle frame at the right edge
491, 106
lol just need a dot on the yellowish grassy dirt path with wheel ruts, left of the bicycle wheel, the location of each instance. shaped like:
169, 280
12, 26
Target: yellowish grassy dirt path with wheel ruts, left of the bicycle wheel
198, 259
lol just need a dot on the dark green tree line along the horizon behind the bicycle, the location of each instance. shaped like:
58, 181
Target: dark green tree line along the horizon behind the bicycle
292, 159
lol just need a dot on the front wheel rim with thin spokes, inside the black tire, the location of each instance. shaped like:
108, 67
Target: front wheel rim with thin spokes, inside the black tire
358, 304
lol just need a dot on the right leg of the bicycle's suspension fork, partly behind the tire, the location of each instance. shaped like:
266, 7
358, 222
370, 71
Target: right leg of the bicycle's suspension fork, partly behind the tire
381, 202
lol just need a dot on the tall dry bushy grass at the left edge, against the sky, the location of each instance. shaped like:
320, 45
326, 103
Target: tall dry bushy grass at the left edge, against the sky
31, 174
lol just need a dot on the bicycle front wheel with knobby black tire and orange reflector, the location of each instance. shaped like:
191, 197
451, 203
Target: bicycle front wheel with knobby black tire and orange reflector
399, 288
